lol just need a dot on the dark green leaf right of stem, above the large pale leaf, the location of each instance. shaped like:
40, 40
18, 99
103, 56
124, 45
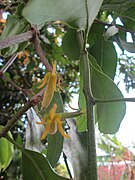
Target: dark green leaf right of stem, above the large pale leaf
105, 54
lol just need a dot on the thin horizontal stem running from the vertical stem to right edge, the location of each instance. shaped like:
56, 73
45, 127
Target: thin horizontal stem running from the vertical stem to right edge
114, 100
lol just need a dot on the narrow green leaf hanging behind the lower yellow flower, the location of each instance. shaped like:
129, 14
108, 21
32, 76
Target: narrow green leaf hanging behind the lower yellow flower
55, 142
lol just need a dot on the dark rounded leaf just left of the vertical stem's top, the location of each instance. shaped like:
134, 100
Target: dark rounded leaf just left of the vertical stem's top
70, 44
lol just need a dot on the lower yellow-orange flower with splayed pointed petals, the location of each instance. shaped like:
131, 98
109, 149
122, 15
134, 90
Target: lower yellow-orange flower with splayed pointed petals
52, 123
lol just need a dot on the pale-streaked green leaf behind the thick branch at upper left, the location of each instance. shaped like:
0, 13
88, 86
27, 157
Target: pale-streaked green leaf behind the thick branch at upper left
13, 26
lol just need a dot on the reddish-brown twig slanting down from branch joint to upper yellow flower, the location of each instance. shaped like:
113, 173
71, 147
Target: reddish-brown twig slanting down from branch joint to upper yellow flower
40, 51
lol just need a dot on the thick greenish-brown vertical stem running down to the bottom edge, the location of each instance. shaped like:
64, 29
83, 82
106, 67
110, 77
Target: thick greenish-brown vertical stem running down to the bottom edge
92, 165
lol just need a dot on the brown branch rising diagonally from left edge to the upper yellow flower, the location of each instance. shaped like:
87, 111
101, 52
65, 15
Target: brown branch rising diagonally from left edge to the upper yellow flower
33, 102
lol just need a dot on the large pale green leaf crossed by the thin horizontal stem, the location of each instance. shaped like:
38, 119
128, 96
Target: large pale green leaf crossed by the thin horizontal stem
108, 115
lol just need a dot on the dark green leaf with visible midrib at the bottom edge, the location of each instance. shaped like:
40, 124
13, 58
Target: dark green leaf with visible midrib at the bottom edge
35, 166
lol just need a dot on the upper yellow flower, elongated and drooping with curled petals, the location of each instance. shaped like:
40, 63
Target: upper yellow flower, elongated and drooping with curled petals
51, 80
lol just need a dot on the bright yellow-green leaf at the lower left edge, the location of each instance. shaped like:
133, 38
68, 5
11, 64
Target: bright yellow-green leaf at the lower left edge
6, 152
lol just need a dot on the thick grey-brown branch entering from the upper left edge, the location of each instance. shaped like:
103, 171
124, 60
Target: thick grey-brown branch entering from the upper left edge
16, 39
